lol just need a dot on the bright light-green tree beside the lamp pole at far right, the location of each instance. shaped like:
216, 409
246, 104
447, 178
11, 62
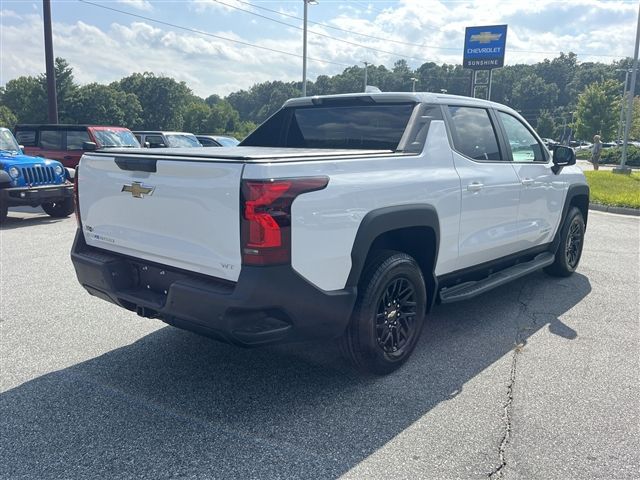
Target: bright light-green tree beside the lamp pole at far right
597, 111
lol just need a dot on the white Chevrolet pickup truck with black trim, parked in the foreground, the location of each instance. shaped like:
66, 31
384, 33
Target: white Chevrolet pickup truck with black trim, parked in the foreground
344, 216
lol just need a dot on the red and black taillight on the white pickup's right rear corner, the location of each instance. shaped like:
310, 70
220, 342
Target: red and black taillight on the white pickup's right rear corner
266, 217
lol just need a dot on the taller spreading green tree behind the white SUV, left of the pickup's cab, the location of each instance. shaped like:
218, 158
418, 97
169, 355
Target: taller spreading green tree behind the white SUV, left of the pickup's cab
163, 100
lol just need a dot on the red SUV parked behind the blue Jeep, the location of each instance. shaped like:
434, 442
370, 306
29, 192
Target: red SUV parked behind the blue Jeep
65, 142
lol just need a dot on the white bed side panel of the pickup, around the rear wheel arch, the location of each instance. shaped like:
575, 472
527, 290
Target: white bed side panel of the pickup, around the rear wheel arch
325, 223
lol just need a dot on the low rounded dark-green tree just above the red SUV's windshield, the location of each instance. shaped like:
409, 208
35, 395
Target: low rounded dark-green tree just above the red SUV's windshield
103, 104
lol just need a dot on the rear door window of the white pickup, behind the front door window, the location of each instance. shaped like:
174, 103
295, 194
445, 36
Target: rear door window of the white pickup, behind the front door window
473, 133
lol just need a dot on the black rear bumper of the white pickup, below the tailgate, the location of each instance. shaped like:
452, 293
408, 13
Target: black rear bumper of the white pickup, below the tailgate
267, 305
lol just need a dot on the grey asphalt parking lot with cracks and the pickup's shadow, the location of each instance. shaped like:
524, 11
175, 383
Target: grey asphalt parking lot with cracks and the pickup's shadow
538, 379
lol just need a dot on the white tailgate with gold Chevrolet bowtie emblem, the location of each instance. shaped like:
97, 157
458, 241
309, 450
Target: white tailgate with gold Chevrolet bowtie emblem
185, 214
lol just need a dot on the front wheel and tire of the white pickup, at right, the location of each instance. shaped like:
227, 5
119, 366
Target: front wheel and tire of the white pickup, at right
570, 248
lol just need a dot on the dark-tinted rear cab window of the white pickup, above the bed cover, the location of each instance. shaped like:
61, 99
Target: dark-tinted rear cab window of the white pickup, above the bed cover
357, 126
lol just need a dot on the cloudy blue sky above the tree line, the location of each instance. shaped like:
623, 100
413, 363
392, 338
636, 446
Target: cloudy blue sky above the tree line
227, 45
